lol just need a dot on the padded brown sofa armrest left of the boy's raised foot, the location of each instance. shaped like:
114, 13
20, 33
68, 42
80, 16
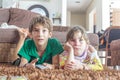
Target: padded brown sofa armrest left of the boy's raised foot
9, 35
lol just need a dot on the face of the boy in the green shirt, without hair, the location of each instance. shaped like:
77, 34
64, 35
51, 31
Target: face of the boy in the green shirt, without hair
40, 35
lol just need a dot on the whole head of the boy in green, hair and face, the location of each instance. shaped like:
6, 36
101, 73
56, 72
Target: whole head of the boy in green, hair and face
40, 30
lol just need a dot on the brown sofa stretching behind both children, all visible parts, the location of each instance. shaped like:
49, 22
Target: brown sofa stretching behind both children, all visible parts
21, 18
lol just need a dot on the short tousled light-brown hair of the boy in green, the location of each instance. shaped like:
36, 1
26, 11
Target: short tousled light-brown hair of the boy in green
42, 20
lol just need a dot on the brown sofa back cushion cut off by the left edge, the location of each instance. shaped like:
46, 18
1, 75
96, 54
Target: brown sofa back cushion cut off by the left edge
4, 15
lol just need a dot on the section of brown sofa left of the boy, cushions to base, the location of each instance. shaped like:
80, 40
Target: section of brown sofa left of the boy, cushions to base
9, 36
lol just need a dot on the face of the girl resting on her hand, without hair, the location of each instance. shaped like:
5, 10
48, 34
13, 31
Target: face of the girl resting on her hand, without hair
78, 43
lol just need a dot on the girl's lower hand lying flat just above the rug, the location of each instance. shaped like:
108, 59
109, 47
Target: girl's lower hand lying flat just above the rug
74, 66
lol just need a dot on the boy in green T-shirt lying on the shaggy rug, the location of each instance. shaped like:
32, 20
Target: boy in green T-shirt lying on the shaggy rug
41, 48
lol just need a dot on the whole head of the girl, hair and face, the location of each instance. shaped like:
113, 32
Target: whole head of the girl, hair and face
78, 39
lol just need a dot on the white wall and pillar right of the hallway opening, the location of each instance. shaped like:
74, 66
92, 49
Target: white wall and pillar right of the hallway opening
102, 14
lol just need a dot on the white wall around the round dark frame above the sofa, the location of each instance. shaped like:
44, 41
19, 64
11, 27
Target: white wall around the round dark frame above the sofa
53, 6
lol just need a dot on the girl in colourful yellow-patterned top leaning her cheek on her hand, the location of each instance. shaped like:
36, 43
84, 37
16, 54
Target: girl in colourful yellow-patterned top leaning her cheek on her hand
80, 54
